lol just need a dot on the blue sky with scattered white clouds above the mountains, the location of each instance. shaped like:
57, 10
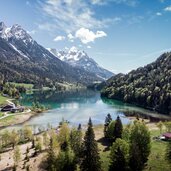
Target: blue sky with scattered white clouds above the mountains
120, 35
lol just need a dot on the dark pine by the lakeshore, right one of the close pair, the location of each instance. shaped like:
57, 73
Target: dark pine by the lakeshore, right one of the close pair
118, 128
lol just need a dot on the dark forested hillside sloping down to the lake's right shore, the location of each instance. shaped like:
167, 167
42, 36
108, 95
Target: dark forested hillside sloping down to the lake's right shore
148, 87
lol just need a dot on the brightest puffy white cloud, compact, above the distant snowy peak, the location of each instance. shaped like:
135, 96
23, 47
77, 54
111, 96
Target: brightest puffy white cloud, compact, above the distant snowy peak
86, 35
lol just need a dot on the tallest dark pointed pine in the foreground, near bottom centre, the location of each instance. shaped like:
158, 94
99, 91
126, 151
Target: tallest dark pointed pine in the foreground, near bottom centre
91, 158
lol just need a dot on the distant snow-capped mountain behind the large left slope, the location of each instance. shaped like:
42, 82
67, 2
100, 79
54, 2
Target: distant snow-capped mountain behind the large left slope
80, 59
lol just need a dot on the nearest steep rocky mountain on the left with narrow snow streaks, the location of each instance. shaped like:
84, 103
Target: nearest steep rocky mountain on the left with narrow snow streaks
22, 59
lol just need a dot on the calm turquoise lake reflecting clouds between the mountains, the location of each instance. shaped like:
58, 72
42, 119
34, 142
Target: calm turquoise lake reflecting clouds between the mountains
76, 106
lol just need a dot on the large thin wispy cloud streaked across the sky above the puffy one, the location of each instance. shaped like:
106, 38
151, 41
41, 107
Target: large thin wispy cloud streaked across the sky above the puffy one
70, 15
